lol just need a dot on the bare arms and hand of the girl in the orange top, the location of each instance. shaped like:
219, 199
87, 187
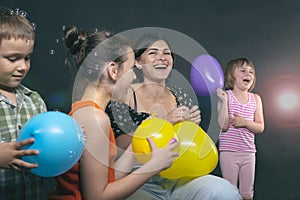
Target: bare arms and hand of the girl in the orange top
95, 159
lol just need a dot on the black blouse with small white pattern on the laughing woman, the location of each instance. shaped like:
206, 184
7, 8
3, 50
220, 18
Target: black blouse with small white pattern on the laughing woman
124, 119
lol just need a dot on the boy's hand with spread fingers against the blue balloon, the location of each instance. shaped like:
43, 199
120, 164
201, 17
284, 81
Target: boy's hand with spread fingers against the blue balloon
10, 155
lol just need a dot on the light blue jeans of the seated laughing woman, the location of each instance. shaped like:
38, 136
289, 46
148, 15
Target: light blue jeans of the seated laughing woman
206, 187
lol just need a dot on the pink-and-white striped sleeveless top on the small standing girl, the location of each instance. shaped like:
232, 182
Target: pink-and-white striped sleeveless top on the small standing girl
238, 139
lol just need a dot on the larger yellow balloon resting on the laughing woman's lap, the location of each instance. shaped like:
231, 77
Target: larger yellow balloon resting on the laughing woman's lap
198, 154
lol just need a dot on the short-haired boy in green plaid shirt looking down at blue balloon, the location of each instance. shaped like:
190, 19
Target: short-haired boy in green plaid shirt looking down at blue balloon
17, 105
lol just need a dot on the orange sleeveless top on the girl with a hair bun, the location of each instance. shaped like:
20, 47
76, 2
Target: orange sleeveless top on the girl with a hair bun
68, 184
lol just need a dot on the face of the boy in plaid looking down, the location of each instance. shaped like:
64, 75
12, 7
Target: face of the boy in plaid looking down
14, 61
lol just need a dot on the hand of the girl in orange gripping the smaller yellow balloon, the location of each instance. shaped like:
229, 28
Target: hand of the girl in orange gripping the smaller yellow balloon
162, 158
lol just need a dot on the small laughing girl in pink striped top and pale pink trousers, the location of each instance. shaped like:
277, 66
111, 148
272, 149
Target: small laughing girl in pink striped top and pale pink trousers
240, 118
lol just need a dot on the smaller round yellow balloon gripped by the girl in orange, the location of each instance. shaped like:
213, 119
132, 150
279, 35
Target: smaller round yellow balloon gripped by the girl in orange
159, 130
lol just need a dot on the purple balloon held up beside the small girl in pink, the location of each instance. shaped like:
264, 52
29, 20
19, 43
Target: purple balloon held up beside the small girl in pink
206, 75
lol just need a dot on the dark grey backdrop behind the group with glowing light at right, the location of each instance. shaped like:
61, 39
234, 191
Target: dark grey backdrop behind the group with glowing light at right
267, 32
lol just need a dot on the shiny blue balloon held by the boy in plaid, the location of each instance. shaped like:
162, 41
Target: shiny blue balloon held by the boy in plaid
59, 140
